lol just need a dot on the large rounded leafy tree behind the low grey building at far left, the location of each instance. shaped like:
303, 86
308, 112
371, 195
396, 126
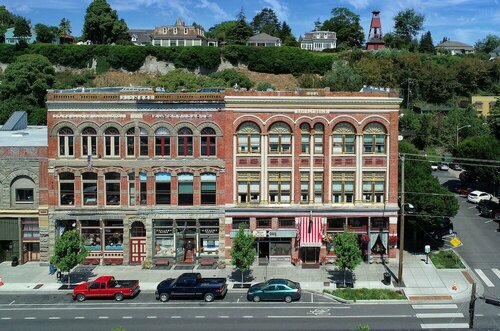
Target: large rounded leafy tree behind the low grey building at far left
24, 86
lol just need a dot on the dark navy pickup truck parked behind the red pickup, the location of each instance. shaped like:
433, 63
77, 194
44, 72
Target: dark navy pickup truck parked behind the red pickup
191, 285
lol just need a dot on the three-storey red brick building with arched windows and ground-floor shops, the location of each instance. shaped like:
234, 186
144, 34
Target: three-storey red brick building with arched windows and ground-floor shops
145, 174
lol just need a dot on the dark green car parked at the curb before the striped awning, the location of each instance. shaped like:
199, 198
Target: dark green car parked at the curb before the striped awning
275, 289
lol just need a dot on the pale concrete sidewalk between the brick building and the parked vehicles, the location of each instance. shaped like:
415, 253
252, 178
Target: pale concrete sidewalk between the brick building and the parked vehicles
423, 282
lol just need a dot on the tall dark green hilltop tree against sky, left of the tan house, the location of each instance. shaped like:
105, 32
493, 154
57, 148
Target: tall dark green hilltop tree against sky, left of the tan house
102, 25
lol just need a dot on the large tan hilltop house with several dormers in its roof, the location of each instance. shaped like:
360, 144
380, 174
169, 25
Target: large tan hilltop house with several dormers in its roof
180, 34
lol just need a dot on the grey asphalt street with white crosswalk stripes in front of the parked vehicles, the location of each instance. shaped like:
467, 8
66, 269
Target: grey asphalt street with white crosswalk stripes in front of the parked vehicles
312, 312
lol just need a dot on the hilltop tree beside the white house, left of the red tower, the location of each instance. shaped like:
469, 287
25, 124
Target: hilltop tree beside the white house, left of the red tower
347, 27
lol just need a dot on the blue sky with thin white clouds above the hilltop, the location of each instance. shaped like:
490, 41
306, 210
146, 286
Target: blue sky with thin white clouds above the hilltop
460, 20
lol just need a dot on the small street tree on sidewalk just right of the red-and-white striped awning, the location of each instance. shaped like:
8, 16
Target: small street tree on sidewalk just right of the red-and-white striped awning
347, 250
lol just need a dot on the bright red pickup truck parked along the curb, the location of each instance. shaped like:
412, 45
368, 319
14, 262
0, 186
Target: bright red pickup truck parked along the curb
106, 287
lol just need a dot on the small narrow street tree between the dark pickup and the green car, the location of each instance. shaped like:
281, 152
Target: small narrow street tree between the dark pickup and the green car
242, 251
